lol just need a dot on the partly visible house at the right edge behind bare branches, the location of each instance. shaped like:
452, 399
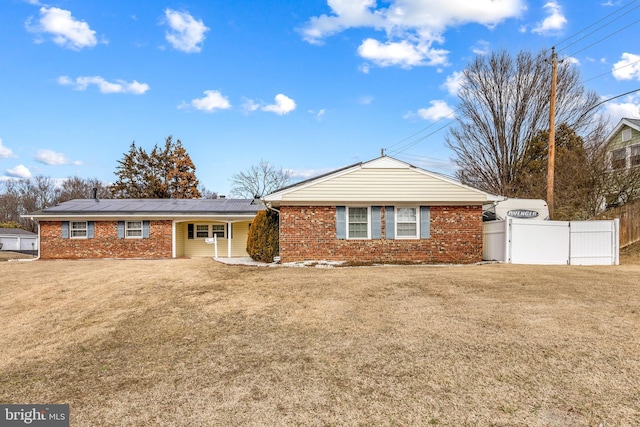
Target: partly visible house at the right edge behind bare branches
623, 159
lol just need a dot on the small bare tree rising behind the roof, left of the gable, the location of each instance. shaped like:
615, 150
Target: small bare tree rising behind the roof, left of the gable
259, 180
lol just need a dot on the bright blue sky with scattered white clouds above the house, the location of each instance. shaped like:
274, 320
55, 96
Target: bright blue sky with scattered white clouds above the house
308, 86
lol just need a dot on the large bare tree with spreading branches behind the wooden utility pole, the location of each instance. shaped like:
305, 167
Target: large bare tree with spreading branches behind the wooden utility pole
504, 103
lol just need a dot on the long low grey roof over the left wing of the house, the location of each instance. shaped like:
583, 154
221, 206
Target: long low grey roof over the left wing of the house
153, 206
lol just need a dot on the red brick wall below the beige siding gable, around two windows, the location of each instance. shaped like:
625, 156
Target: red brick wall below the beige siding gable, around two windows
309, 233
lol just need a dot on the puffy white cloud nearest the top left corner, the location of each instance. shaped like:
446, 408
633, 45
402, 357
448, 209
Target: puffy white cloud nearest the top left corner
63, 28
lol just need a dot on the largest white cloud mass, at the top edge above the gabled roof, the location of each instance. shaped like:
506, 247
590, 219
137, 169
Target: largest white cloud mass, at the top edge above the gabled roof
411, 26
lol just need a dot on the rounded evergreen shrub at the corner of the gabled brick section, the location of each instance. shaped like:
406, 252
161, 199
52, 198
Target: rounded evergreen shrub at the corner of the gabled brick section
262, 242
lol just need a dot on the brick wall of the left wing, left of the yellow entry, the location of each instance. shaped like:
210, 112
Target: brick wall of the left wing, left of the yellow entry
105, 243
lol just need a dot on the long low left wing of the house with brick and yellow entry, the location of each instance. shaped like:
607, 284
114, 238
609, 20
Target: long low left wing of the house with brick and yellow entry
144, 228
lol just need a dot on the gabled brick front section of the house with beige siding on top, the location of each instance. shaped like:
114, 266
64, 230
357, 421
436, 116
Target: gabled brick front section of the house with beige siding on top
383, 210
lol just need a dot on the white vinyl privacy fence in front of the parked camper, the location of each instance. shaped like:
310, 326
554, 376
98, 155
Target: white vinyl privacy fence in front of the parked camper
524, 241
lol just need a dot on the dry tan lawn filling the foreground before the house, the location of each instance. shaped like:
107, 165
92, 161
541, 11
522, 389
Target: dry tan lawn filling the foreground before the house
193, 342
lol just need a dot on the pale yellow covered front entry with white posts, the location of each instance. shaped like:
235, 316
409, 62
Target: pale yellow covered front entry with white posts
195, 238
